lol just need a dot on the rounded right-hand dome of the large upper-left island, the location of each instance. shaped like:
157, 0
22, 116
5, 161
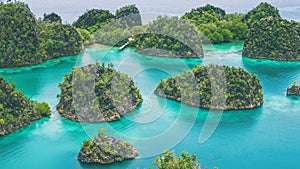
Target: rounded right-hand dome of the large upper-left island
59, 40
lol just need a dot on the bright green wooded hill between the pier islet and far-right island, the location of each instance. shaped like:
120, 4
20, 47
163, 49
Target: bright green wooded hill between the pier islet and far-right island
217, 26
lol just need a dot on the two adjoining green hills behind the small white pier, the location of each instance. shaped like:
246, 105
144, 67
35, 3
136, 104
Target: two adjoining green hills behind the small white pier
109, 29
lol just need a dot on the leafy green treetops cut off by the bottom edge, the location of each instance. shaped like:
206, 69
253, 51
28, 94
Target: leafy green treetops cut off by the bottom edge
170, 161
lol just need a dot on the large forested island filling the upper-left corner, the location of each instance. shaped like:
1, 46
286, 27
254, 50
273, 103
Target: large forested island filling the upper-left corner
25, 41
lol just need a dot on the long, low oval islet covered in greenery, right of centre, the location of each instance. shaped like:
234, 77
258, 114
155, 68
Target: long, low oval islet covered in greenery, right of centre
214, 87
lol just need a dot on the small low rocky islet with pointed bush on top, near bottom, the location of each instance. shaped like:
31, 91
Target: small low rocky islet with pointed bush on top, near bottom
105, 150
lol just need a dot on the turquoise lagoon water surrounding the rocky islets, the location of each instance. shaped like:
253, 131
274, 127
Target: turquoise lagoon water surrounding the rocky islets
265, 137
